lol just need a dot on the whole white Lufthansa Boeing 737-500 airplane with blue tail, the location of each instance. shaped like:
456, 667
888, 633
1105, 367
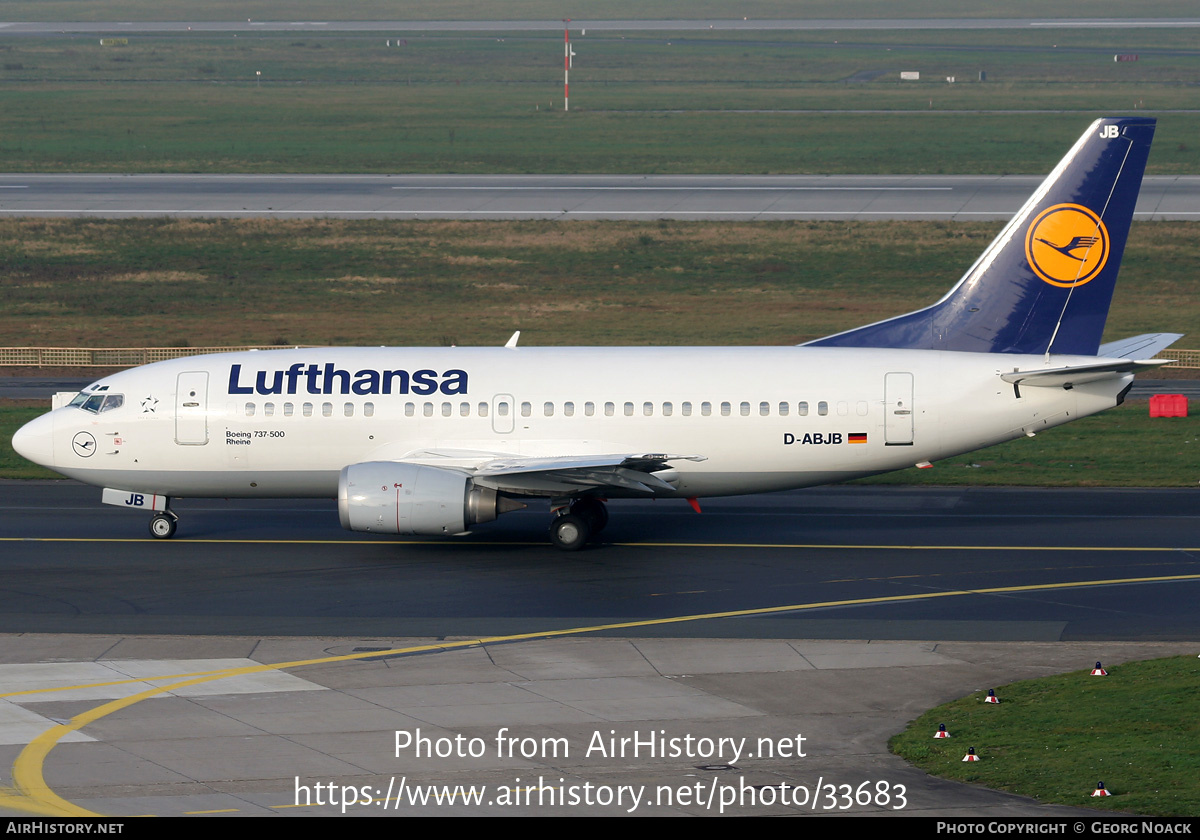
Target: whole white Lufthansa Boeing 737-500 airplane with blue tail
433, 441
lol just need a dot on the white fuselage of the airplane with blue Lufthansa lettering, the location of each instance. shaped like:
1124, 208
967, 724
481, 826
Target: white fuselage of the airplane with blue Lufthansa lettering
285, 423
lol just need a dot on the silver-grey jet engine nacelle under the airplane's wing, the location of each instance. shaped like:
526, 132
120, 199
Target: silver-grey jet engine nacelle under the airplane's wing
404, 499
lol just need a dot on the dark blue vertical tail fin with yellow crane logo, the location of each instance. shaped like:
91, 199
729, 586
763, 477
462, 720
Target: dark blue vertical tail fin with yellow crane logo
1046, 283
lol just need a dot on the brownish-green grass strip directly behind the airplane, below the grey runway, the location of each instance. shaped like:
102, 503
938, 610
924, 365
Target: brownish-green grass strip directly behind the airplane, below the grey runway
221, 283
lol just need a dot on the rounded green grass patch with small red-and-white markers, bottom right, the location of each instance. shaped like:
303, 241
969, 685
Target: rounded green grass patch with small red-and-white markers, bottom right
1136, 730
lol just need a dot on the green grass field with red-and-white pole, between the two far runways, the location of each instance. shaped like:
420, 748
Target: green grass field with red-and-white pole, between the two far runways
643, 103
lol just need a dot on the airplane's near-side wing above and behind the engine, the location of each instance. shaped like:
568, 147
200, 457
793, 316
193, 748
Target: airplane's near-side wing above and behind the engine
638, 473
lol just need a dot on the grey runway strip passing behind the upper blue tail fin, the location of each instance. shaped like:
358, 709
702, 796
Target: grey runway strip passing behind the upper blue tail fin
638, 197
